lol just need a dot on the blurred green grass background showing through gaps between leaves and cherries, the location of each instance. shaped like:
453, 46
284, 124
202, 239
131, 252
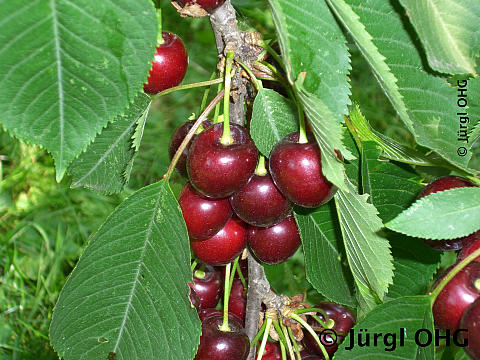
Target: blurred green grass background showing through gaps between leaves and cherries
44, 226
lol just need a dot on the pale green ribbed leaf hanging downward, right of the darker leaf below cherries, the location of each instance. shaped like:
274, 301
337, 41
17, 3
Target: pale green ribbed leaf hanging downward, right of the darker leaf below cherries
367, 252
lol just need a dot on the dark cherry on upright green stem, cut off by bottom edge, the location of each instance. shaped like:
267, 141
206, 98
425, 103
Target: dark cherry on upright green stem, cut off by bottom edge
218, 345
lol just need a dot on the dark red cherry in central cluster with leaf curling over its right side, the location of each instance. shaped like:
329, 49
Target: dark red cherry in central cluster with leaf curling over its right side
296, 169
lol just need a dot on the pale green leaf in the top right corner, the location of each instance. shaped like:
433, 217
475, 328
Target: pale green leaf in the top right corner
448, 31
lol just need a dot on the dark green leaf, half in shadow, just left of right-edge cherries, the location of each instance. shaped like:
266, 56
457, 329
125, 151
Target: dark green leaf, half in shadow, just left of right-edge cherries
415, 265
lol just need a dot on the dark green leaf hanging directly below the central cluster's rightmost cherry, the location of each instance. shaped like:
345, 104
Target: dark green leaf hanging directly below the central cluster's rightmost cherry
324, 256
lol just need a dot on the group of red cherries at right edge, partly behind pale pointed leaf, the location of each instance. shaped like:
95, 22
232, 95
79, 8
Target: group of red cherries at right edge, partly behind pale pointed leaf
457, 306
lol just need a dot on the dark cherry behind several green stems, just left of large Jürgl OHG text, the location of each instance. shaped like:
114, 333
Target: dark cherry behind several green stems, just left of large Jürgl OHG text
343, 319
